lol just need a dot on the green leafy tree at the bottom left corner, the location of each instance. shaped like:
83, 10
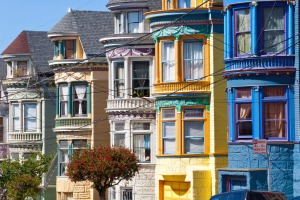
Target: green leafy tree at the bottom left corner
22, 178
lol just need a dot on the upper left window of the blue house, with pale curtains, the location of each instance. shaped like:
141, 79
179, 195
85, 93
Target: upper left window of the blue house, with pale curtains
242, 31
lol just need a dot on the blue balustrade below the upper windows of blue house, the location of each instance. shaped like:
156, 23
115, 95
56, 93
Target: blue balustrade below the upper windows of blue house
260, 63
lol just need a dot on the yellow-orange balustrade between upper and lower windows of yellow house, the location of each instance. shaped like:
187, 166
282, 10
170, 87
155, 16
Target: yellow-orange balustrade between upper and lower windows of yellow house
182, 87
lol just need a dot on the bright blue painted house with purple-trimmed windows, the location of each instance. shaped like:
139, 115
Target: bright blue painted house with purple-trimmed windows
259, 57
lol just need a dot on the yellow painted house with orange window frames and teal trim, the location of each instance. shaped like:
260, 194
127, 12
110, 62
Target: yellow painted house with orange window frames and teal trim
190, 98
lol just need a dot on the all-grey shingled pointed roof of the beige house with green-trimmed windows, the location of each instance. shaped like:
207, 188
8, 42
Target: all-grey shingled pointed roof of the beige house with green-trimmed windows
90, 27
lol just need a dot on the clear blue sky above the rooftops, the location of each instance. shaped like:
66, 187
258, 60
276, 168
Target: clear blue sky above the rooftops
37, 15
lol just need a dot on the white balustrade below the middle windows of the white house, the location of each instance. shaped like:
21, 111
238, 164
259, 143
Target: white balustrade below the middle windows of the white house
130, 104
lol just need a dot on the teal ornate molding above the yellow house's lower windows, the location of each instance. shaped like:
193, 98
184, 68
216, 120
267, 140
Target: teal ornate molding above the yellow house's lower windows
179, 103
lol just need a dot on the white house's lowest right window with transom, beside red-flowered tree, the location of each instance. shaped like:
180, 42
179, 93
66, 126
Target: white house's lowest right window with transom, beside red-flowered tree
141, 141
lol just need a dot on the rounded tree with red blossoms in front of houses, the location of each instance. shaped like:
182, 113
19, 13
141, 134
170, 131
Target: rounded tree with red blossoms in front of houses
104, 166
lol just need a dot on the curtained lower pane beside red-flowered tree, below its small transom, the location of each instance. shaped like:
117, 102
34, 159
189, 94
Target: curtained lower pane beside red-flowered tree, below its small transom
141, 147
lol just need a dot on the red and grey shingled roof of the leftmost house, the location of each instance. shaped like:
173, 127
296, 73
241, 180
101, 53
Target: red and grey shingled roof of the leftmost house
35, 43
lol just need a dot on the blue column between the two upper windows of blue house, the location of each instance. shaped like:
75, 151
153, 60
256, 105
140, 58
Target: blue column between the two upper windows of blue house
253, 28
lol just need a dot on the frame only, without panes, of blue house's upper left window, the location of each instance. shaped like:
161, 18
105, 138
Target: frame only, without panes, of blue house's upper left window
236, 32
